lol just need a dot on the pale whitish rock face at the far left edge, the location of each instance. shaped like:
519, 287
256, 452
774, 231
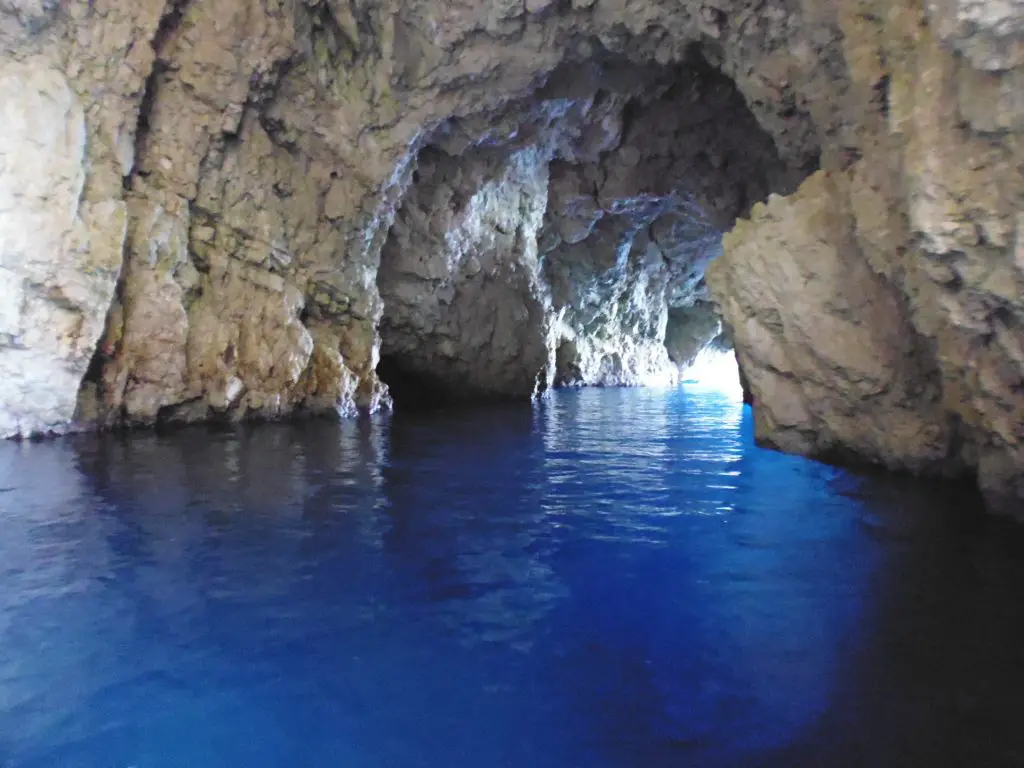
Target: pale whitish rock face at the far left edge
59, 259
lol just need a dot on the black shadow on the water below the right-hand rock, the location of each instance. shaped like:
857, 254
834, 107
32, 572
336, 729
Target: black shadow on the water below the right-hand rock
935, 679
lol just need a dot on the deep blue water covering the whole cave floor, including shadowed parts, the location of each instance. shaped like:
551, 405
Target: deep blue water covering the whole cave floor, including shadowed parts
612, 579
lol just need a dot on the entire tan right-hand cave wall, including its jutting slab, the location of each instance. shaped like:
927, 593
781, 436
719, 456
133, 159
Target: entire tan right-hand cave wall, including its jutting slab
879, 313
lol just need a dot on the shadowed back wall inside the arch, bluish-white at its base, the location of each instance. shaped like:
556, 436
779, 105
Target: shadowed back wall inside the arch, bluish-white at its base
631, 229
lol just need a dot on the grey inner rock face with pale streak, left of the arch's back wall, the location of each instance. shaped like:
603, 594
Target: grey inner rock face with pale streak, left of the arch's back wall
460, 276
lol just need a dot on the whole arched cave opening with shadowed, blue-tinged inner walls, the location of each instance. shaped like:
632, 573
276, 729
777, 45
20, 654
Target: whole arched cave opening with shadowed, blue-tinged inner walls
564, 240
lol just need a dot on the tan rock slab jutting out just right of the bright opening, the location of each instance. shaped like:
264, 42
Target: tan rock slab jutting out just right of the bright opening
830, 358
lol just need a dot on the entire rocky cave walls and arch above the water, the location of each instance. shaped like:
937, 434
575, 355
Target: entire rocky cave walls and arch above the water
236, 208
